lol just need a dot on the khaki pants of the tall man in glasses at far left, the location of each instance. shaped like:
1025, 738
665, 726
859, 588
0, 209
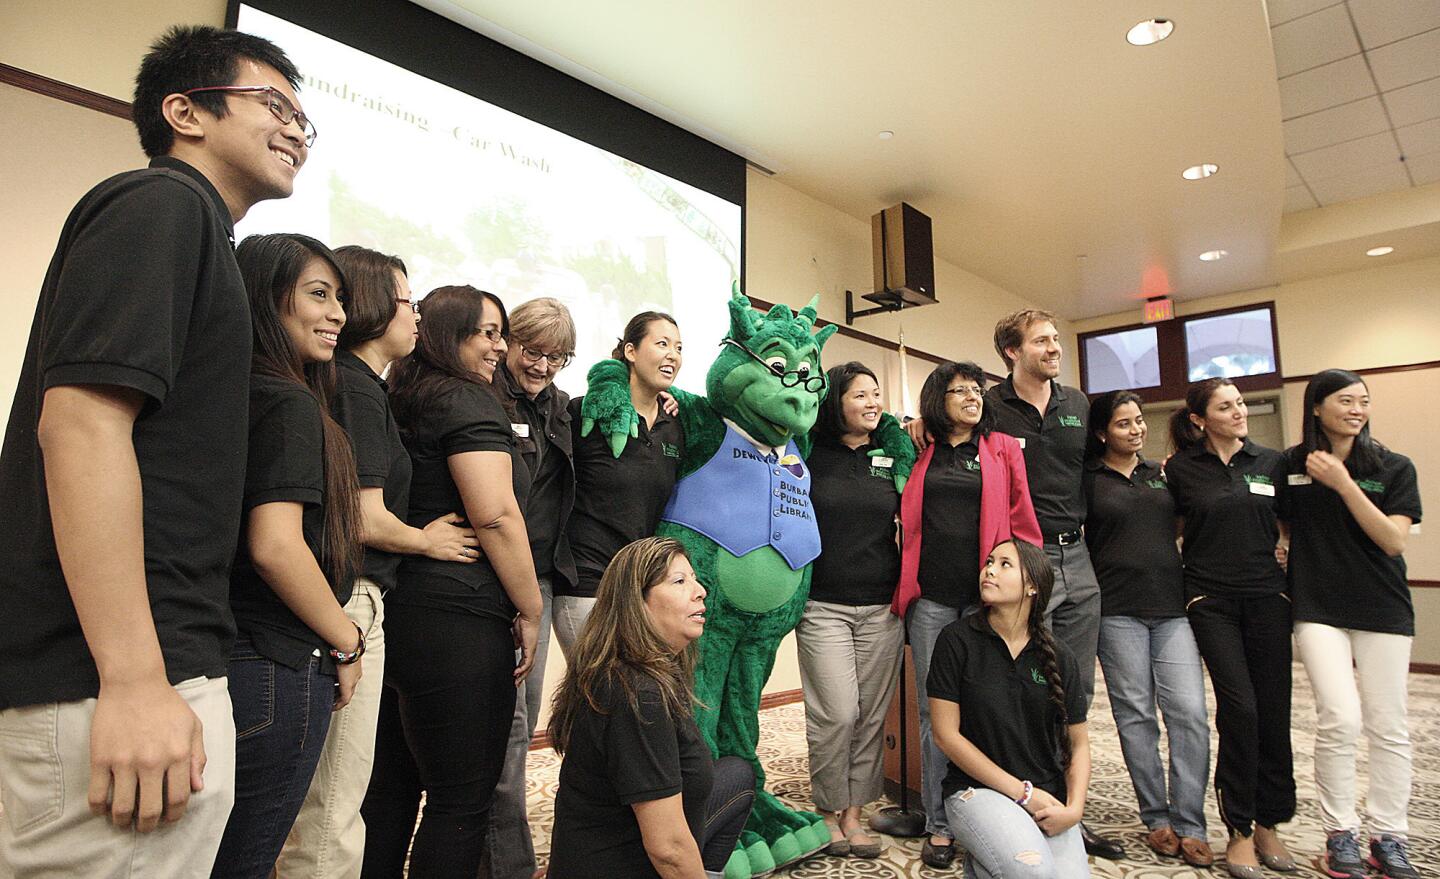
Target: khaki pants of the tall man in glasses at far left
48, 831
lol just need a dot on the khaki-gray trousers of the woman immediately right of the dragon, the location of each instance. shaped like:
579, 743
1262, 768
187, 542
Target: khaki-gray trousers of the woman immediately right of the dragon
849, 658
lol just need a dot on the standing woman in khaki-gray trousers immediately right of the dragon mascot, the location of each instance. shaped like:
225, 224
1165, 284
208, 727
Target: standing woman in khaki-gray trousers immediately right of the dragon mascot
849, 643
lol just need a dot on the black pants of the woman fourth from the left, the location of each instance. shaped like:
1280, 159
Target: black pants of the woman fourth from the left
446, 718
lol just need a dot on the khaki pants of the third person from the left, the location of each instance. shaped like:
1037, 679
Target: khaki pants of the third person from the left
328, 841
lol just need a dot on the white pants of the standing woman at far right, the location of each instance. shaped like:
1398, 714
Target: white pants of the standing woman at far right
1376, 707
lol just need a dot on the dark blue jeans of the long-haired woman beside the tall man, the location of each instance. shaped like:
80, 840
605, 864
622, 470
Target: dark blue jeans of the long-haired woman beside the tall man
282, 720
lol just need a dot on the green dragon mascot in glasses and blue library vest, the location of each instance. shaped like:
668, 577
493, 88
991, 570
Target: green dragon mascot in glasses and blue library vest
744, 512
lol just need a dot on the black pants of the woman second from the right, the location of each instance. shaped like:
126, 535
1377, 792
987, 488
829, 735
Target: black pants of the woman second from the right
1246, 645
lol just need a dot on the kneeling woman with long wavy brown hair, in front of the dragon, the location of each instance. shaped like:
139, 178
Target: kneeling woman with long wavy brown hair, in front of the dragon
640, 795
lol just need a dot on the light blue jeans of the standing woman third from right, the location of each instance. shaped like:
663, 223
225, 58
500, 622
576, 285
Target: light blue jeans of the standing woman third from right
1150, 662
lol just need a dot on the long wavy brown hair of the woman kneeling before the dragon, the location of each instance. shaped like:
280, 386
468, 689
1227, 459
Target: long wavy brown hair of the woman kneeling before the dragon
620, 643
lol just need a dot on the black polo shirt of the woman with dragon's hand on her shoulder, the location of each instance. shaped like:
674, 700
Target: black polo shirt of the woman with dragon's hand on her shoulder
618, 501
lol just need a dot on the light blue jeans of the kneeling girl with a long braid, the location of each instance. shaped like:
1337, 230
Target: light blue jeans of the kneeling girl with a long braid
1003, 842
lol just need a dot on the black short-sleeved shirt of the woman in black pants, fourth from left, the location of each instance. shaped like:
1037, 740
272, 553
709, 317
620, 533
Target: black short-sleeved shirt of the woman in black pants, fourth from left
467, 417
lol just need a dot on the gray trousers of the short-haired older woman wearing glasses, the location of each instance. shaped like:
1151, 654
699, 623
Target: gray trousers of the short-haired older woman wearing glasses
510, 851
